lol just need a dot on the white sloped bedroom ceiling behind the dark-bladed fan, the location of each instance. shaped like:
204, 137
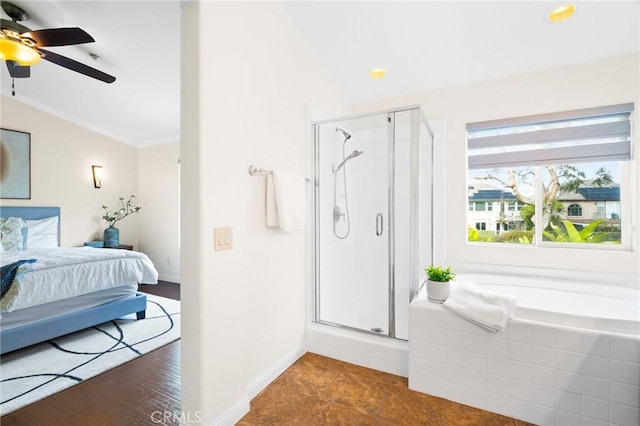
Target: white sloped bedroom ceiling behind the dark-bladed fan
139, 43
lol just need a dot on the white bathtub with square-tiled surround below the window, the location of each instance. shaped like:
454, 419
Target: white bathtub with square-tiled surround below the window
570, 355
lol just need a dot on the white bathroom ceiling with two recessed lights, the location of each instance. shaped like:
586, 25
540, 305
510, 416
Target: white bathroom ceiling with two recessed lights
425, 45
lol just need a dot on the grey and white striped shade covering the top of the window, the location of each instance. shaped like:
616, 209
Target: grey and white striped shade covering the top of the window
602, 133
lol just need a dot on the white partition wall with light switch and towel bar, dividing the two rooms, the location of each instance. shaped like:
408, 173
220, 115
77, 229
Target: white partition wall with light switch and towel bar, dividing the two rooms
244, 104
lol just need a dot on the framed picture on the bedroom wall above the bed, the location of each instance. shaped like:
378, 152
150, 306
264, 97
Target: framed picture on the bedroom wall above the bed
15, 164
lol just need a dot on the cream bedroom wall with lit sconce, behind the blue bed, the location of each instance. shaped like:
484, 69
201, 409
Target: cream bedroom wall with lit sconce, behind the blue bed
61, 157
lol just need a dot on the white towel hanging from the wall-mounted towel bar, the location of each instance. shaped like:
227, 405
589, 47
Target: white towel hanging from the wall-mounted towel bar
286, 201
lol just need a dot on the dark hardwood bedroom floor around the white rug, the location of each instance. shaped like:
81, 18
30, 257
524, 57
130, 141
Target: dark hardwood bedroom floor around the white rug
143, 391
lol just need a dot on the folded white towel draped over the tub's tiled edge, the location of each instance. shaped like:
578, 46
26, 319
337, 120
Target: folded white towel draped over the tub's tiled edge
484, 308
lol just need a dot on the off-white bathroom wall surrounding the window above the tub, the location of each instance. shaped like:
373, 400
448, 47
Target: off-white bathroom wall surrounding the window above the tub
603, 82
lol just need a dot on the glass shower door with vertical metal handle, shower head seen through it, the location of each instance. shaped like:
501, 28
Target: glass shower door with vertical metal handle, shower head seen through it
353, 167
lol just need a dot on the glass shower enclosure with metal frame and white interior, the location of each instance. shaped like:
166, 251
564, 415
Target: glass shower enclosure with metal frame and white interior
372, 218
